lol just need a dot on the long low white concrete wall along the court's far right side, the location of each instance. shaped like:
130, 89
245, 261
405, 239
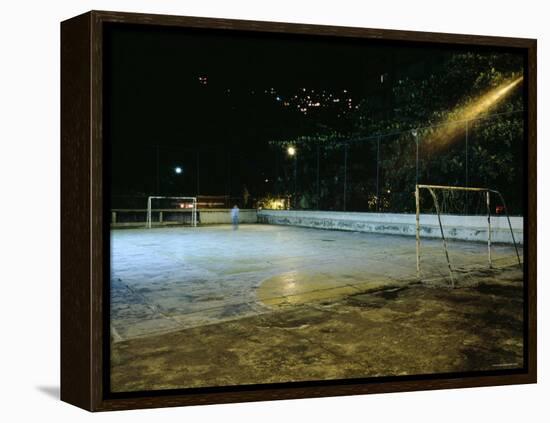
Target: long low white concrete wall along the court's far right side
468, 228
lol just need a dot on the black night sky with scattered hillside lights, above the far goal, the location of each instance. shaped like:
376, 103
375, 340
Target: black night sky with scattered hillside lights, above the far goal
182, 97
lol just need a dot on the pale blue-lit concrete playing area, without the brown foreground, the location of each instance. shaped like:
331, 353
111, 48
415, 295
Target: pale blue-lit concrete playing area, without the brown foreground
168, 279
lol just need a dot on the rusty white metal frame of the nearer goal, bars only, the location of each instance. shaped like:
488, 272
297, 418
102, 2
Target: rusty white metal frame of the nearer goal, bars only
487, 192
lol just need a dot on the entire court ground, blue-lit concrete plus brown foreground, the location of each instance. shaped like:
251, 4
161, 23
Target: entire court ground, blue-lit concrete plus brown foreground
211, 306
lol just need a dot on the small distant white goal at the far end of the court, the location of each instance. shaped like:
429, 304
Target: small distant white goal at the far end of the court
171, 210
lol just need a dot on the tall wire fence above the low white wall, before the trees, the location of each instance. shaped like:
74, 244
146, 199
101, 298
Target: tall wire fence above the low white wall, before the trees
378, 173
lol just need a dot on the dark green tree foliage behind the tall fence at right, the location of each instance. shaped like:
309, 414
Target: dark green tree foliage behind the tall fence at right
487, 151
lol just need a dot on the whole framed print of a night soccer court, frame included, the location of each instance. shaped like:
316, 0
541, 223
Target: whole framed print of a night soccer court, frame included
258, 210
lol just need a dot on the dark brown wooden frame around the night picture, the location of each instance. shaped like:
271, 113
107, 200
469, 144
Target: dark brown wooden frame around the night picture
84, 329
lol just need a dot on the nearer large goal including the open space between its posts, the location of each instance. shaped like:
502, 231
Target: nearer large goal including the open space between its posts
453, 217
